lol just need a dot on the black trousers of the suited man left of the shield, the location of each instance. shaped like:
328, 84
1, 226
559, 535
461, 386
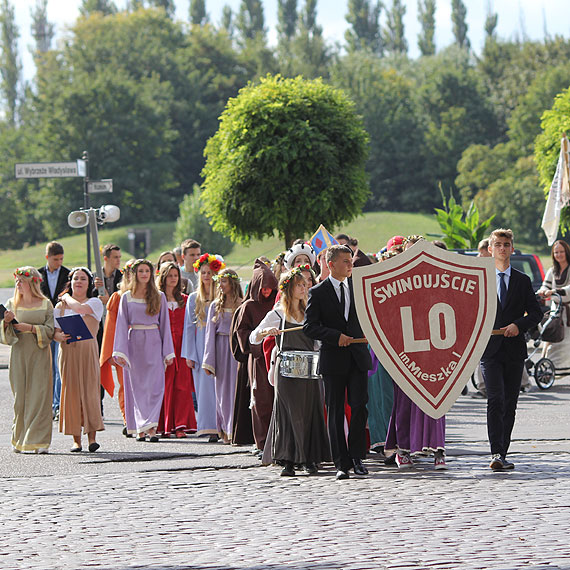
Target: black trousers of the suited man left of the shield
355, 386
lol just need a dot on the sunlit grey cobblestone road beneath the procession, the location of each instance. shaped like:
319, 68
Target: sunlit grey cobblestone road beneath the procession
188, 504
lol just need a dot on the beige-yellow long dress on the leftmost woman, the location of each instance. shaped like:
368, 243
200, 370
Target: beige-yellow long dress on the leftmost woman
30, 375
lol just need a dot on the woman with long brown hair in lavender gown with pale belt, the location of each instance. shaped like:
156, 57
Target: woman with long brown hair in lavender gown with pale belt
143, 347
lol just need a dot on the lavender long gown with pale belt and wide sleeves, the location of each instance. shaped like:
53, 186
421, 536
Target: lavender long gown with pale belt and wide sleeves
145, 342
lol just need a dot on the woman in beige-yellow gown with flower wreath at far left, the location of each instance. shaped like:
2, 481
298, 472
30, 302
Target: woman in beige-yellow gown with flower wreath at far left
30, 361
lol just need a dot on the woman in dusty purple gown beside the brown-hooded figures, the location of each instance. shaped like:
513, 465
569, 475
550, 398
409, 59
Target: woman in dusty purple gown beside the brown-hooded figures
218, 359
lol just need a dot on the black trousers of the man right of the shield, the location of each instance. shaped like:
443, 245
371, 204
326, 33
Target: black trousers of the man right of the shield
502, 377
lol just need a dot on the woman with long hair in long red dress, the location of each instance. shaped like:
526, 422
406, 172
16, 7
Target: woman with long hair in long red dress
177, 415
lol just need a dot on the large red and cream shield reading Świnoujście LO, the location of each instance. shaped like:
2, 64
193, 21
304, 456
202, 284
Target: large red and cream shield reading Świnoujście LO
428, 314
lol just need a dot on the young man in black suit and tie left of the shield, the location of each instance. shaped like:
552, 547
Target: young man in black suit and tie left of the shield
331, 318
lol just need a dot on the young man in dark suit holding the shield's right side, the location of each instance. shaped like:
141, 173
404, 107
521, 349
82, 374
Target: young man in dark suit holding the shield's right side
503, 360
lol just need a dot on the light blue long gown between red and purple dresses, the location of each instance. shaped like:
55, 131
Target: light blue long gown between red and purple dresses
193, 349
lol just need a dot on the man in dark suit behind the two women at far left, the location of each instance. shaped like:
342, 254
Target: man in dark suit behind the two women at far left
54, 279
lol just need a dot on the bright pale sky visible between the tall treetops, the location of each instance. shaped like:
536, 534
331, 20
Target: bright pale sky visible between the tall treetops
515, 17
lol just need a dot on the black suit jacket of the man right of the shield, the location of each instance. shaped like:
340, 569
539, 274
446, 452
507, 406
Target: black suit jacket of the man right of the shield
523, 310
